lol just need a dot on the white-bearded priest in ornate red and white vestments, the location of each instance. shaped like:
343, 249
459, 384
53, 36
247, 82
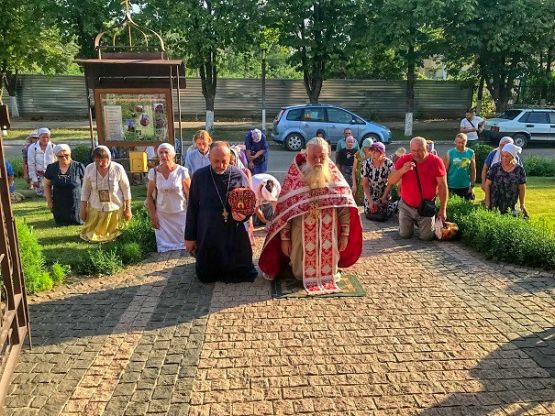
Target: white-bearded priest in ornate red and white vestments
316, 226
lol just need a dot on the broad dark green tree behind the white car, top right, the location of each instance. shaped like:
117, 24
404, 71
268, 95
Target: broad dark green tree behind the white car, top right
499, 40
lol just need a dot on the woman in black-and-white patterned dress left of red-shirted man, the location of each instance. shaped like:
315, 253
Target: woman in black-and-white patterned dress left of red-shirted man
375, 172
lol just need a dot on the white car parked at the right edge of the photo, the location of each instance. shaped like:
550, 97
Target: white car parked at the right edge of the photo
523, 125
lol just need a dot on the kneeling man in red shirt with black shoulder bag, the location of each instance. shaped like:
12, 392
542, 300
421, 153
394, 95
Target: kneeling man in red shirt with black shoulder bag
433, 180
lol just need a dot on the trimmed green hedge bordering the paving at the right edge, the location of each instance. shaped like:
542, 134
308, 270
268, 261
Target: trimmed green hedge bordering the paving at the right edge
503, 237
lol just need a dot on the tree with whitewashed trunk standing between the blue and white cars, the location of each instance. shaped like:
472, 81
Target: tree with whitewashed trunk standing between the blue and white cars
408, 28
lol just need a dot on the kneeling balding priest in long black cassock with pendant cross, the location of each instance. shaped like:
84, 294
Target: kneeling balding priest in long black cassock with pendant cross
218, 239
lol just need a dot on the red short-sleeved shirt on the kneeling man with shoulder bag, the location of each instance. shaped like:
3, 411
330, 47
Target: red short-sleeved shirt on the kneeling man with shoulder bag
431, 168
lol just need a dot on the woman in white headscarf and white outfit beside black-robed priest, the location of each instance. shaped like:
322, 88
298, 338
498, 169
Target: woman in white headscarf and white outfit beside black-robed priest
167, 193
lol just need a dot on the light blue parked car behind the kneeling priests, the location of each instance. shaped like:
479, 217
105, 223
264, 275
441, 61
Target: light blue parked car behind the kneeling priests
295, 125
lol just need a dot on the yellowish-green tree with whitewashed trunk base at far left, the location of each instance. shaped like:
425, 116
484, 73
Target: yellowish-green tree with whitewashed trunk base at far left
30, 42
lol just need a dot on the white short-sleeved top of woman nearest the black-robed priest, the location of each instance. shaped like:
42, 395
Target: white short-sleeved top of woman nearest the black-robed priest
170, 197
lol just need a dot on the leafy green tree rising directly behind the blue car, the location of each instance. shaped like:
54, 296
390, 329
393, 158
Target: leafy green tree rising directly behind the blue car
317, 31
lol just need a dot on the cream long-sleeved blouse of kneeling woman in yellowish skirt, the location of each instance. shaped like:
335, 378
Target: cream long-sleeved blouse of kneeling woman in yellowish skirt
115, 181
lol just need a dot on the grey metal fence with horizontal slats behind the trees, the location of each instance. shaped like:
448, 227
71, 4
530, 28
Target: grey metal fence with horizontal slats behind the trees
241, 98
